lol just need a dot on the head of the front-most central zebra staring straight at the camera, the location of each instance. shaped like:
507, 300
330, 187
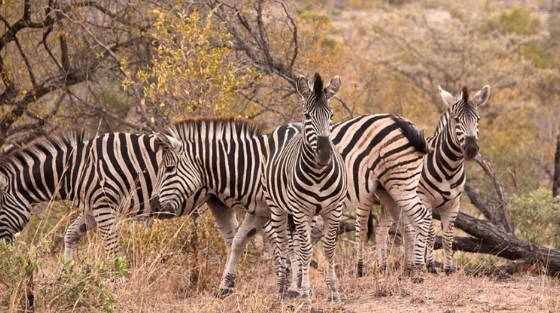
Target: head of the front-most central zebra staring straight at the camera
317, 115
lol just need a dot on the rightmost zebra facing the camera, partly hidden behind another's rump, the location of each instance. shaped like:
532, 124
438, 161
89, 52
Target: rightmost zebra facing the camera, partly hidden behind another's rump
443, 175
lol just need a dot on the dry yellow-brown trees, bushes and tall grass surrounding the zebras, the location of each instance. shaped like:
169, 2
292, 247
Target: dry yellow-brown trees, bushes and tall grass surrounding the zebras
138, 65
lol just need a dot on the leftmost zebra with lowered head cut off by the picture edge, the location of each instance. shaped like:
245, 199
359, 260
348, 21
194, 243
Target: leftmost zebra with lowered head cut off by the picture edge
110, 174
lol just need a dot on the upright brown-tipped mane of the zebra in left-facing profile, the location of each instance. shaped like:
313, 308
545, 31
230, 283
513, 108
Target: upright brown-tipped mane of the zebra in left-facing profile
213, 129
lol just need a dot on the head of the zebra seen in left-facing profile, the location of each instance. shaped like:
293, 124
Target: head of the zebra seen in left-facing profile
177, 178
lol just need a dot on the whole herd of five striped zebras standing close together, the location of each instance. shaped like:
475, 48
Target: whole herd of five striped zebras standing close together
279, 180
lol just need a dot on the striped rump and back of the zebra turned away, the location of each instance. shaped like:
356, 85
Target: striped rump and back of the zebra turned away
379, 150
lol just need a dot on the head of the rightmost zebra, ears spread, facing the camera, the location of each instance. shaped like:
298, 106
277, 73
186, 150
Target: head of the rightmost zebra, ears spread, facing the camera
464, 118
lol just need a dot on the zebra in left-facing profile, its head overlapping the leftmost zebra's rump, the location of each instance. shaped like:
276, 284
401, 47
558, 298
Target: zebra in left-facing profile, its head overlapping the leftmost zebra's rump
220, 160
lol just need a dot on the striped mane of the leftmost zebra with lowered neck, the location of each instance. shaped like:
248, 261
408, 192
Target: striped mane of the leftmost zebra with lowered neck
38, 146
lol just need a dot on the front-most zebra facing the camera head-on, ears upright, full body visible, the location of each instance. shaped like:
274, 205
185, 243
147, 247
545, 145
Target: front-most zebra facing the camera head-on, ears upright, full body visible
303, 178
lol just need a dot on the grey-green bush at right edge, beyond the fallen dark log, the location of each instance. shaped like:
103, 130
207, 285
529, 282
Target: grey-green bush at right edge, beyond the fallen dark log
537, 217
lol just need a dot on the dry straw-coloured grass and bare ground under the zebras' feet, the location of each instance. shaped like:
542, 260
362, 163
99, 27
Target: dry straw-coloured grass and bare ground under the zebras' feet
168, 274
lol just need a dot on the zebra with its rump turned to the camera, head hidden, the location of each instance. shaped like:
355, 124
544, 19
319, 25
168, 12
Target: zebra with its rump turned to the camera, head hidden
383, 154
